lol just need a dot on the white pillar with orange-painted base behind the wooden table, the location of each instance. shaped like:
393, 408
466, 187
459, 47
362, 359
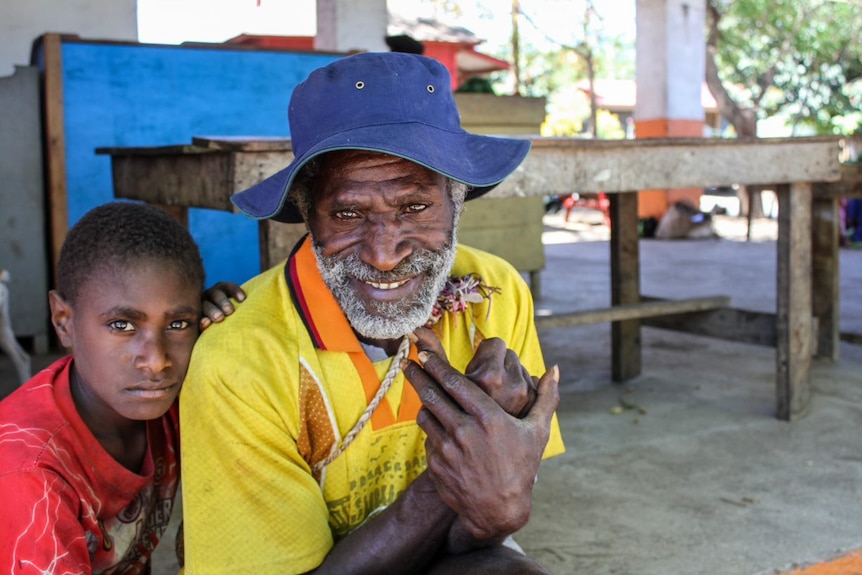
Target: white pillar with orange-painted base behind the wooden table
671, 69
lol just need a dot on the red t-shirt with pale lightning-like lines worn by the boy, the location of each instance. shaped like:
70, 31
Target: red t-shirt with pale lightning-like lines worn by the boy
67, 505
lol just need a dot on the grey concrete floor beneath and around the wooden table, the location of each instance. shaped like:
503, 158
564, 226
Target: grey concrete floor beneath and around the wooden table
684, 470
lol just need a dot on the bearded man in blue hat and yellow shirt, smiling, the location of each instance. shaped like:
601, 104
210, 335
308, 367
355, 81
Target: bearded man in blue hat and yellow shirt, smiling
305, 449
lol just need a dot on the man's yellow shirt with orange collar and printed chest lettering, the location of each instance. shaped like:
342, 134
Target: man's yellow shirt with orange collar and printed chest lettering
275, 388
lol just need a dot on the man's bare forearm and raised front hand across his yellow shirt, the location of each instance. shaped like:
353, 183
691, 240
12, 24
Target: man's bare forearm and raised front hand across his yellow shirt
490, 483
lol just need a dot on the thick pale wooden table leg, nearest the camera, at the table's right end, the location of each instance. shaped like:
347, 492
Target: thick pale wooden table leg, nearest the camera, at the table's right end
794, 322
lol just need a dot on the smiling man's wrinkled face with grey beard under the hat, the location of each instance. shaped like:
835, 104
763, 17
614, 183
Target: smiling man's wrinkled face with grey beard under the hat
384, 236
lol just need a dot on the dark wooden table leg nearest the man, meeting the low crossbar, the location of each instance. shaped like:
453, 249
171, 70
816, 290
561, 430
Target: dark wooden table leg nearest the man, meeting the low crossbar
625, 285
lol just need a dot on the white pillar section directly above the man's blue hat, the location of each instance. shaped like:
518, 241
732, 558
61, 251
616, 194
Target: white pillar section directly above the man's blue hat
344, 25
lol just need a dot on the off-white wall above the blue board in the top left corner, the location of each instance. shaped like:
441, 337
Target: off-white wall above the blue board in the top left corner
22, 21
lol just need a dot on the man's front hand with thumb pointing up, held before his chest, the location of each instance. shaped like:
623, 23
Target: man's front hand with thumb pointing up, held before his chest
482, 459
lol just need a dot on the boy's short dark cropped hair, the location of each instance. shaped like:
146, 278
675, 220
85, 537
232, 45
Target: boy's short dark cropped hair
117, 234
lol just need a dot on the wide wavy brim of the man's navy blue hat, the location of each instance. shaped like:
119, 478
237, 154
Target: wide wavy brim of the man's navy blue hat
477, 160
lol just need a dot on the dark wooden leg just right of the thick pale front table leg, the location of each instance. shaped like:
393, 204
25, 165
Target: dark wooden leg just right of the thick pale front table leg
825, 286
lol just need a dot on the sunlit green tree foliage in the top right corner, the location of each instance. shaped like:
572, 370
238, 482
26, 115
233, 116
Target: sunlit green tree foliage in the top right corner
799, 59
